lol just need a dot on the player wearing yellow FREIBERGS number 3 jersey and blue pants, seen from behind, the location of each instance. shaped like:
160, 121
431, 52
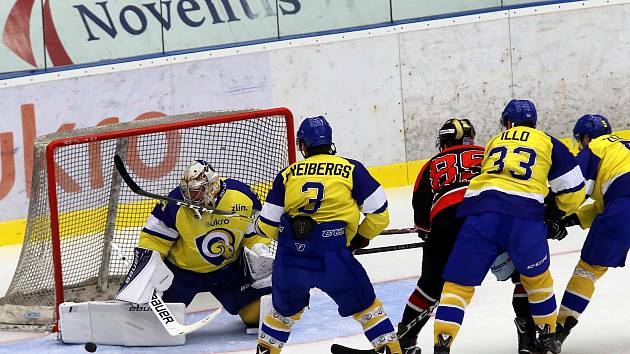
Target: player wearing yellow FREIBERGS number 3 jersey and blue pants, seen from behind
313, 209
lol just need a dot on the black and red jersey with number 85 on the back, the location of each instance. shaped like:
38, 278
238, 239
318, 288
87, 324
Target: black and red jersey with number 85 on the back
442, 182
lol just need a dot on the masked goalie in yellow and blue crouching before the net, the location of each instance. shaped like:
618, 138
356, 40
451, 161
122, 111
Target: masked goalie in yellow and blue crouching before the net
183, 252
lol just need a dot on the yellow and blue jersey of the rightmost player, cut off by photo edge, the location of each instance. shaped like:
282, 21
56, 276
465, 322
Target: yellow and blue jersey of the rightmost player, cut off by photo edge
605, 164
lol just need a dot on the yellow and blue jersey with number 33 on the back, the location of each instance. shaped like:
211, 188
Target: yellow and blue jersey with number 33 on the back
519, 168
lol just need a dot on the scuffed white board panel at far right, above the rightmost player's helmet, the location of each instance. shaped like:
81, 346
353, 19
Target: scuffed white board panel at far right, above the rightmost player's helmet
584, 68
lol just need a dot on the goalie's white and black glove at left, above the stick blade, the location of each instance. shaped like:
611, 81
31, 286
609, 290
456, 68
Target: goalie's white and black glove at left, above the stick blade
147, 273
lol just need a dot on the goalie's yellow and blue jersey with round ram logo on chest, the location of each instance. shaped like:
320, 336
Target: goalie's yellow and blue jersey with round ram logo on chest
209, 243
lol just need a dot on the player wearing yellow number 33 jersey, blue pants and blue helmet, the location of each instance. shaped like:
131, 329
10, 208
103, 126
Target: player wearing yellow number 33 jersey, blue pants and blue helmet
504, 210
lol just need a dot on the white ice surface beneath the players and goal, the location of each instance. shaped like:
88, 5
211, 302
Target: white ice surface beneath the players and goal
488, 328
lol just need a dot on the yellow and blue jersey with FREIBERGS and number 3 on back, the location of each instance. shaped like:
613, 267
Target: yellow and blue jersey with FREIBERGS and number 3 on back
327, 188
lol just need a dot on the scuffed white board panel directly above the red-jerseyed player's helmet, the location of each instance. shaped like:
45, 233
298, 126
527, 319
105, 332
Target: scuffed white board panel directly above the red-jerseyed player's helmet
460, 71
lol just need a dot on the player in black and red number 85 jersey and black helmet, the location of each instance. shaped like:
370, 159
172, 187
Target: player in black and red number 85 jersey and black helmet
438, 192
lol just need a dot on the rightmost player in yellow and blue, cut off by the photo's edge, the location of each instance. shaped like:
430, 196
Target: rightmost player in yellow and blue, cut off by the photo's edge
605, 161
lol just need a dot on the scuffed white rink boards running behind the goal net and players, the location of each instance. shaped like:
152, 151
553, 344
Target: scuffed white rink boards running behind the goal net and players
386, 91
